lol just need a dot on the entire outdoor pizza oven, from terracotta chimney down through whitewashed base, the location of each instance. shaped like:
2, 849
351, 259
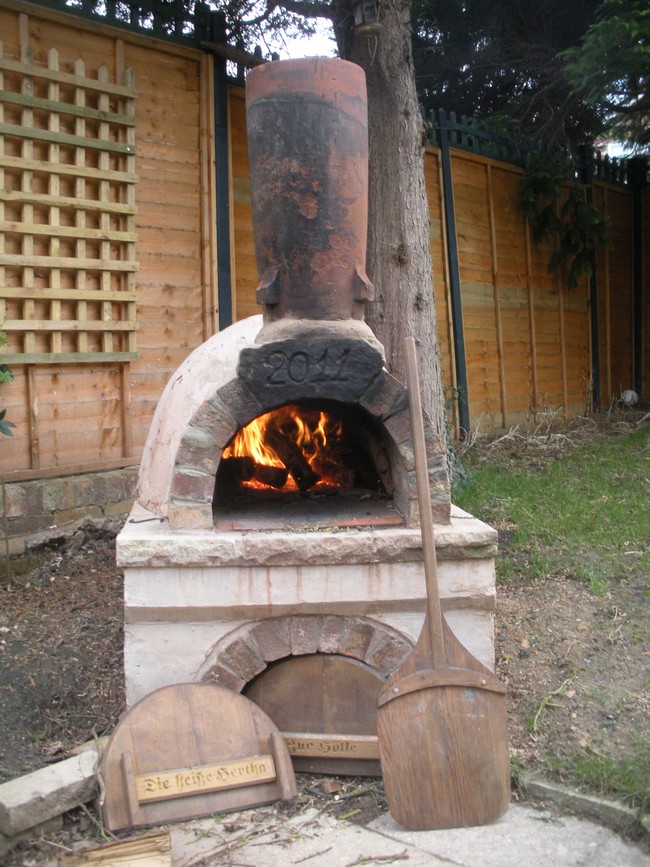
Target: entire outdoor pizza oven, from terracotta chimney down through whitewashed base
277, 515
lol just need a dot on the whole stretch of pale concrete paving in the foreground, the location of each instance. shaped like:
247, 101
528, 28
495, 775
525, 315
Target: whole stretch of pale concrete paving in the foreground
524, 837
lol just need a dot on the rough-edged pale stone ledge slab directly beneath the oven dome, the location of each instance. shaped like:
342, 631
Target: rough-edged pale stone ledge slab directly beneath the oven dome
148, 541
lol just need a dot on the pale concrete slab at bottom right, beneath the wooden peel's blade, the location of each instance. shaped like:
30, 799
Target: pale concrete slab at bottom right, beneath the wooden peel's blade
523, 836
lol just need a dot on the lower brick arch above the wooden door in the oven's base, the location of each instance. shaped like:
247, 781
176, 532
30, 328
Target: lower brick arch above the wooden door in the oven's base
245, 652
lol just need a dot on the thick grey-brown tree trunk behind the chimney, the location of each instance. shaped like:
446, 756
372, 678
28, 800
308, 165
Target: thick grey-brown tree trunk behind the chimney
399, 255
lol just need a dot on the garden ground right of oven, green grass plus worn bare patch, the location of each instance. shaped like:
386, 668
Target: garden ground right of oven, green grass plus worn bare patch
573, 509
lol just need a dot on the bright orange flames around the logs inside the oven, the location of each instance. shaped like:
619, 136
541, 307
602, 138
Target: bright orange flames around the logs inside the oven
310, 431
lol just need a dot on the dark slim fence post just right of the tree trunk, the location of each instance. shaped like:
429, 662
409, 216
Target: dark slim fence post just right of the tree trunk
454, 276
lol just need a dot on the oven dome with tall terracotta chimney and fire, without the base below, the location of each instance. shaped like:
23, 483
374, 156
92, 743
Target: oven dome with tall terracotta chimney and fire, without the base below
305, 423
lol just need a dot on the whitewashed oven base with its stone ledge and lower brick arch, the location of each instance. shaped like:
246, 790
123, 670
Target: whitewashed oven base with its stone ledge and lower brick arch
221, 606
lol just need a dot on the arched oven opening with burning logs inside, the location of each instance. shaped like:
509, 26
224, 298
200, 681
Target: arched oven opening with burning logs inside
318, 460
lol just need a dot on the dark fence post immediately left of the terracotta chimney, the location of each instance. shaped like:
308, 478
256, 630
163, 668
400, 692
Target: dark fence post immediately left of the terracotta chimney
221, 172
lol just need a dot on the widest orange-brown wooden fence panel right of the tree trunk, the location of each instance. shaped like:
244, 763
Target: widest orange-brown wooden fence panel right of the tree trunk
526, 336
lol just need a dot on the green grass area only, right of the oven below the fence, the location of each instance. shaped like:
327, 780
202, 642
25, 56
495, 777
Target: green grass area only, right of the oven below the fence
584, 512
